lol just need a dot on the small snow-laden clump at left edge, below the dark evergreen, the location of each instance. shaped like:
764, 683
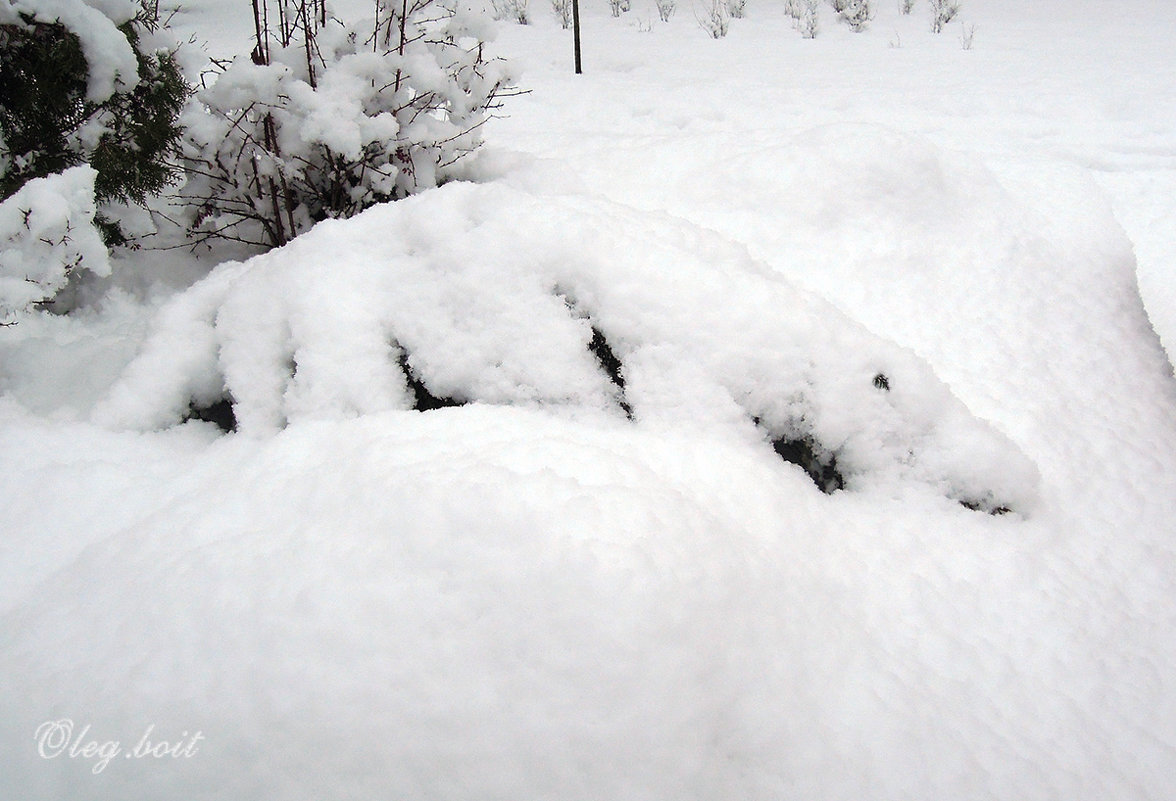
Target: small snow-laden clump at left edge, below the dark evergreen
46, 235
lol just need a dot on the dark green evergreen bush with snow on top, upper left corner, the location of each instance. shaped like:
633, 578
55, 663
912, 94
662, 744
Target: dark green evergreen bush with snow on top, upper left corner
91, 82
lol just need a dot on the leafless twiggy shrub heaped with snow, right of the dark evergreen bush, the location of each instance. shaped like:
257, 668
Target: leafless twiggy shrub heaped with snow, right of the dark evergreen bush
326, 118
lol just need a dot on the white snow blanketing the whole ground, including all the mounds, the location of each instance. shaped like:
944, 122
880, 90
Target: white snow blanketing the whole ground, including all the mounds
533, 597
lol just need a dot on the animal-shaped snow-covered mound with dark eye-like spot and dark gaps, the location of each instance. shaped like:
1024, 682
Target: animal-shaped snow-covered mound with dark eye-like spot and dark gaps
490, 295
